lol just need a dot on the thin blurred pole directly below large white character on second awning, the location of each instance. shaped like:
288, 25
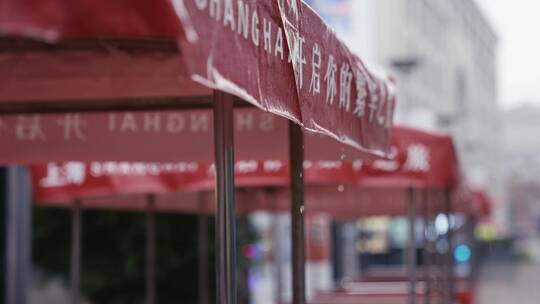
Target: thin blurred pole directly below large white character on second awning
411, 255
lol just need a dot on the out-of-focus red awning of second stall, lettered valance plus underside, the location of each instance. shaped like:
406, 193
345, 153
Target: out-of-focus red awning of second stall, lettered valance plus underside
342, 188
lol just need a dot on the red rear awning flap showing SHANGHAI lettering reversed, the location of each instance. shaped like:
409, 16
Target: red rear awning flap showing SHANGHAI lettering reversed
151, 136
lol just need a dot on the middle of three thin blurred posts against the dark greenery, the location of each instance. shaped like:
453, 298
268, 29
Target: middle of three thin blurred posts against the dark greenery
151, 250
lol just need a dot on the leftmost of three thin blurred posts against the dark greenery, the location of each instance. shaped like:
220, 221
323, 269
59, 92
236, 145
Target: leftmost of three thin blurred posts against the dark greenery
76, 241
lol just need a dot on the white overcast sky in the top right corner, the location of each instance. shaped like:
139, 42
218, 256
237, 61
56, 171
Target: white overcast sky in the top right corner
517, 23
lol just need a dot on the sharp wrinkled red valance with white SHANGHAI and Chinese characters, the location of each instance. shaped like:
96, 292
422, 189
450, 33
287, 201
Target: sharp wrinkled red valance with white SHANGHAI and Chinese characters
279, 55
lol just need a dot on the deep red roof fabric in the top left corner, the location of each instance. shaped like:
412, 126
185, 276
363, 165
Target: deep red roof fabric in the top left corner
56, 19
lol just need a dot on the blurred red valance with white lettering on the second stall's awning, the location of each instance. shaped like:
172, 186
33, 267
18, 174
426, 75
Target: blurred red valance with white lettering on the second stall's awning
421, 160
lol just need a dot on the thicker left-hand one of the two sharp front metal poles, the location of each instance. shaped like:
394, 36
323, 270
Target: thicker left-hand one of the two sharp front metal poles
225, 216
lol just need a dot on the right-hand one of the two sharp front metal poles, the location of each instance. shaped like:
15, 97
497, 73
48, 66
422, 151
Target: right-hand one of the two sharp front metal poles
296, 154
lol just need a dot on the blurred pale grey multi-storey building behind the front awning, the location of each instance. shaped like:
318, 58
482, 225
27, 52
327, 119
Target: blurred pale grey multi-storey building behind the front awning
443, 55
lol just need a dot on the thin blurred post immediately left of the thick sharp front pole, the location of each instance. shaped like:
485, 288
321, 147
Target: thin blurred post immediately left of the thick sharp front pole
202, 245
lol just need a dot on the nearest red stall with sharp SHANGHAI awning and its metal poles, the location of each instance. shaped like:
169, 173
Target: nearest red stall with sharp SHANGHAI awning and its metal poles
64, 64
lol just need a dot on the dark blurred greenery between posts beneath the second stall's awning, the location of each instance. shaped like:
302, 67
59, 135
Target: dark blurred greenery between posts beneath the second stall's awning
113, 255
